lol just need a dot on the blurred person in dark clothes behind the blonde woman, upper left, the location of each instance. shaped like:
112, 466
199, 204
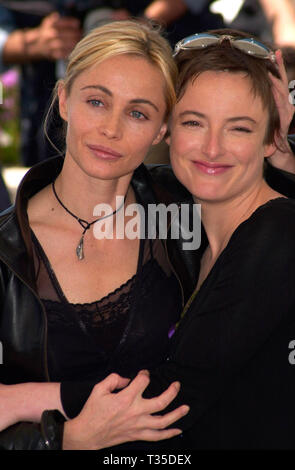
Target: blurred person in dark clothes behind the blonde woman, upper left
38, 37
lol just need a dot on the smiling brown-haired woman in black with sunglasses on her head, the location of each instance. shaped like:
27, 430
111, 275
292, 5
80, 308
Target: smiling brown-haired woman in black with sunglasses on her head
231, 351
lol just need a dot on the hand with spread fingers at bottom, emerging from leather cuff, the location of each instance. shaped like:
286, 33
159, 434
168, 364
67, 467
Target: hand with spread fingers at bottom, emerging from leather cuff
108, 419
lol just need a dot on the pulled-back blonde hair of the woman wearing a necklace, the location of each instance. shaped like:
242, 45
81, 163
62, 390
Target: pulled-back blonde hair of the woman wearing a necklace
121, 37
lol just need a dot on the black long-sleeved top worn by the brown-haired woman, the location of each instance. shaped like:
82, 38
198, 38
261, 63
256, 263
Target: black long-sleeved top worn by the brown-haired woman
231, 350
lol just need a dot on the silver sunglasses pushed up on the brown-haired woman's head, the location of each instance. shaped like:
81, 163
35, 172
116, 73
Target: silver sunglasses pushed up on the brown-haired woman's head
247, 45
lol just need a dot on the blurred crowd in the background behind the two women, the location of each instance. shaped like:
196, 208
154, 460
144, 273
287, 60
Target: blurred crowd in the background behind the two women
36, 37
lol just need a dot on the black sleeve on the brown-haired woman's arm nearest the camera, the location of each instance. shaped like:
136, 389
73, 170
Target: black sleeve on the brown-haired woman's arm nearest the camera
248, 295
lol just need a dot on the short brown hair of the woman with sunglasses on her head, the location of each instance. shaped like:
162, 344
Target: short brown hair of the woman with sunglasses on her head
224, 57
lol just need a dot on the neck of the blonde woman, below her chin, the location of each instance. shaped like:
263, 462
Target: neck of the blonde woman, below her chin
80, 193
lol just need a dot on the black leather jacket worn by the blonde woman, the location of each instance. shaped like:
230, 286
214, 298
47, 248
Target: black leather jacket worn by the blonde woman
22, 319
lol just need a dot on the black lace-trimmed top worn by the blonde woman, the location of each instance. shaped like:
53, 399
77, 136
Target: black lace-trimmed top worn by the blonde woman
123, 332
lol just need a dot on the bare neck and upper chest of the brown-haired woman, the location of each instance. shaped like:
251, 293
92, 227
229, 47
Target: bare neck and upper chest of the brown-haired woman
220, 219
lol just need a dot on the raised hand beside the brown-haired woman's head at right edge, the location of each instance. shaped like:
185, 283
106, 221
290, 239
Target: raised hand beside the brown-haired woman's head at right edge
283, 158
